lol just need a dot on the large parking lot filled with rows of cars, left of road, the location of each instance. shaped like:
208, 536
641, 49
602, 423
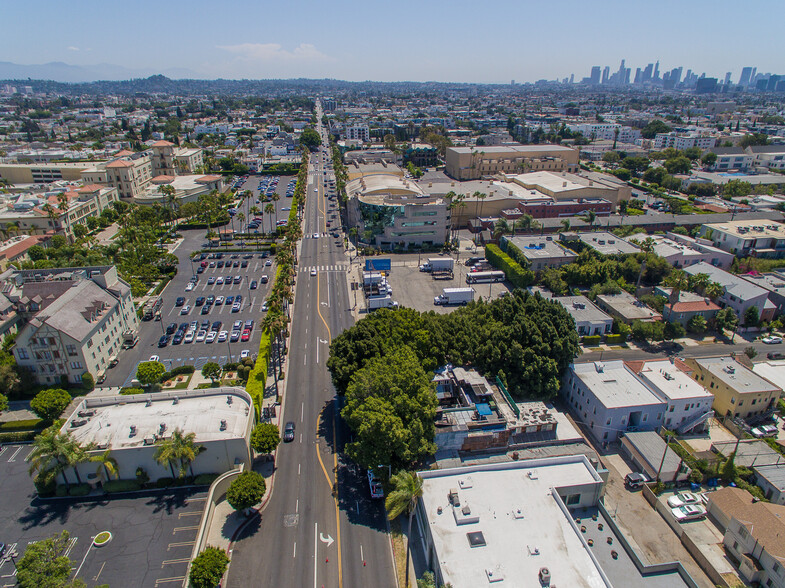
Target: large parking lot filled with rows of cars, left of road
198, 353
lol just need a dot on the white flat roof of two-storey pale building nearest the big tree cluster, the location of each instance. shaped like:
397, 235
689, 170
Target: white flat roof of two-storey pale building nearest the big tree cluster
614, 384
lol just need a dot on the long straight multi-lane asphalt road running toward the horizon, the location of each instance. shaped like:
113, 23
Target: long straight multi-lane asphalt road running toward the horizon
320, 527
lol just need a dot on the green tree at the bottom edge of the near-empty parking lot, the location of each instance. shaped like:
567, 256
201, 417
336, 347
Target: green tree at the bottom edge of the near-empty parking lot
45, 565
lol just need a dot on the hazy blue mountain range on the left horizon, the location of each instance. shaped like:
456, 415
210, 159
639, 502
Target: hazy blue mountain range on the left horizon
58, 71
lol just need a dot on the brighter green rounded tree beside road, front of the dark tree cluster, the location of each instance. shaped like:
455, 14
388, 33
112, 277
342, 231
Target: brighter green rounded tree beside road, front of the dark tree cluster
390, 407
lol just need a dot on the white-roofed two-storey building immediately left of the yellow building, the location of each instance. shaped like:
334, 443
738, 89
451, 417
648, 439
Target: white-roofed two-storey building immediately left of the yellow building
688, 403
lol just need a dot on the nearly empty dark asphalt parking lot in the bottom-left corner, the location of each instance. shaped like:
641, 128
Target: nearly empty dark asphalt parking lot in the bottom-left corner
152, 534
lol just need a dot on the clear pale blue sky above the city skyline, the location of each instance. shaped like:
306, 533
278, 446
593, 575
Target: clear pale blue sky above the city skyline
424, 40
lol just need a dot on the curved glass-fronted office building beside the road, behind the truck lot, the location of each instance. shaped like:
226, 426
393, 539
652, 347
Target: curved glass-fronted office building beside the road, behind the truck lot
392, 212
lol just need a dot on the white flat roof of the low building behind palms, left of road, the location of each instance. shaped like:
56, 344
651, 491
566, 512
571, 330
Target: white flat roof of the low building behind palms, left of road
106, 421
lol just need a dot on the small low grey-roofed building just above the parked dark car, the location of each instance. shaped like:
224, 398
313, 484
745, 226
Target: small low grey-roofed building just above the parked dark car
650, 455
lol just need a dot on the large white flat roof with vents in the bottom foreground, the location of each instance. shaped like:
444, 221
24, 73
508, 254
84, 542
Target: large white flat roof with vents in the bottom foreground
522, 524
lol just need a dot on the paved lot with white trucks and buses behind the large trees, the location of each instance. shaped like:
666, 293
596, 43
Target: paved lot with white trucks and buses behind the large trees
415, 289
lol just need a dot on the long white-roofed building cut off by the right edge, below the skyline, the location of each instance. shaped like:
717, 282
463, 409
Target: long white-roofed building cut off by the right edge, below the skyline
759, 238
